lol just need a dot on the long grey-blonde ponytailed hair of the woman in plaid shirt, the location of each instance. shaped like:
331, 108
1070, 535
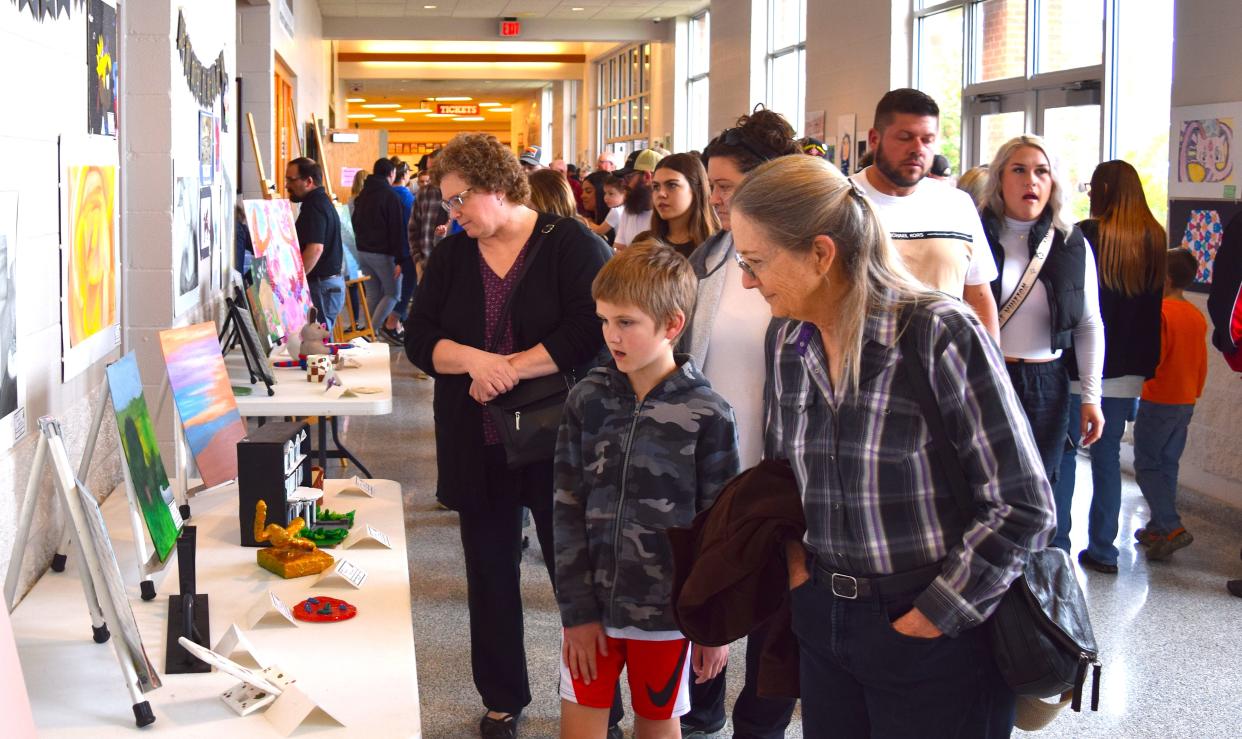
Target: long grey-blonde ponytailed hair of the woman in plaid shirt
793, 201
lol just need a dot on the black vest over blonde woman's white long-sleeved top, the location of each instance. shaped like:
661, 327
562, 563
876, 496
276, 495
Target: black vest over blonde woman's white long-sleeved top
1063, 274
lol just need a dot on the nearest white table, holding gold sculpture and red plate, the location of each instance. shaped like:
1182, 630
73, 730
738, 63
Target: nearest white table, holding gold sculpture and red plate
363, 670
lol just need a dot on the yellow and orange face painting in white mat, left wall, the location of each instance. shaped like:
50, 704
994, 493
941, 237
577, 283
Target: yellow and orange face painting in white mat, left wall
91, 270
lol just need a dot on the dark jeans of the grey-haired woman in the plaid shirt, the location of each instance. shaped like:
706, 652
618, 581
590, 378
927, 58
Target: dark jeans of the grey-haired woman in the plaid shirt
860, 678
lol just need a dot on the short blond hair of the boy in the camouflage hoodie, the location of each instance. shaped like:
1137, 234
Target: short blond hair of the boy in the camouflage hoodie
651, 276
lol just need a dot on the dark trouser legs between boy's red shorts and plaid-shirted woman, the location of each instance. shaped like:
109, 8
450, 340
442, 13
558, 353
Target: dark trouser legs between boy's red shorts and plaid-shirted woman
753, 717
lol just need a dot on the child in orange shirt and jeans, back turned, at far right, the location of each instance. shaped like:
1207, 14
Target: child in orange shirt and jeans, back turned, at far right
1167, 407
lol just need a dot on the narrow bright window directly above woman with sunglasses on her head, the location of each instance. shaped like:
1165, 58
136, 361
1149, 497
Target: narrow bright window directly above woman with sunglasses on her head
787, 60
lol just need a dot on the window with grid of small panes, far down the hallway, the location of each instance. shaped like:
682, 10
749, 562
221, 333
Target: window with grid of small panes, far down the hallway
623, 99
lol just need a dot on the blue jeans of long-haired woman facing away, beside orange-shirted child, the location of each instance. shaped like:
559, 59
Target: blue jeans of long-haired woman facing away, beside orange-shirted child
1106, 474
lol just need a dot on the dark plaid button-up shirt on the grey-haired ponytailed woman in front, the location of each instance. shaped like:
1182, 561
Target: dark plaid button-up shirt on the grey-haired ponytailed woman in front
876, 502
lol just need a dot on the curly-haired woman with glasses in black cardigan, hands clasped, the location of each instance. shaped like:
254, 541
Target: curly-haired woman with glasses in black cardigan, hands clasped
460, 335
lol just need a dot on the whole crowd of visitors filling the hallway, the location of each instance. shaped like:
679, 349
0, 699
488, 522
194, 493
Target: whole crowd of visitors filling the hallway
706, 320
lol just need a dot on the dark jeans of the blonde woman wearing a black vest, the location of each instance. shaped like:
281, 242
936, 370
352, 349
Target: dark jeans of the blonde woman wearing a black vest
1044, 392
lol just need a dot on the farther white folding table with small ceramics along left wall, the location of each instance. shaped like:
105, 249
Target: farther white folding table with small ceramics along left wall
296, 397
